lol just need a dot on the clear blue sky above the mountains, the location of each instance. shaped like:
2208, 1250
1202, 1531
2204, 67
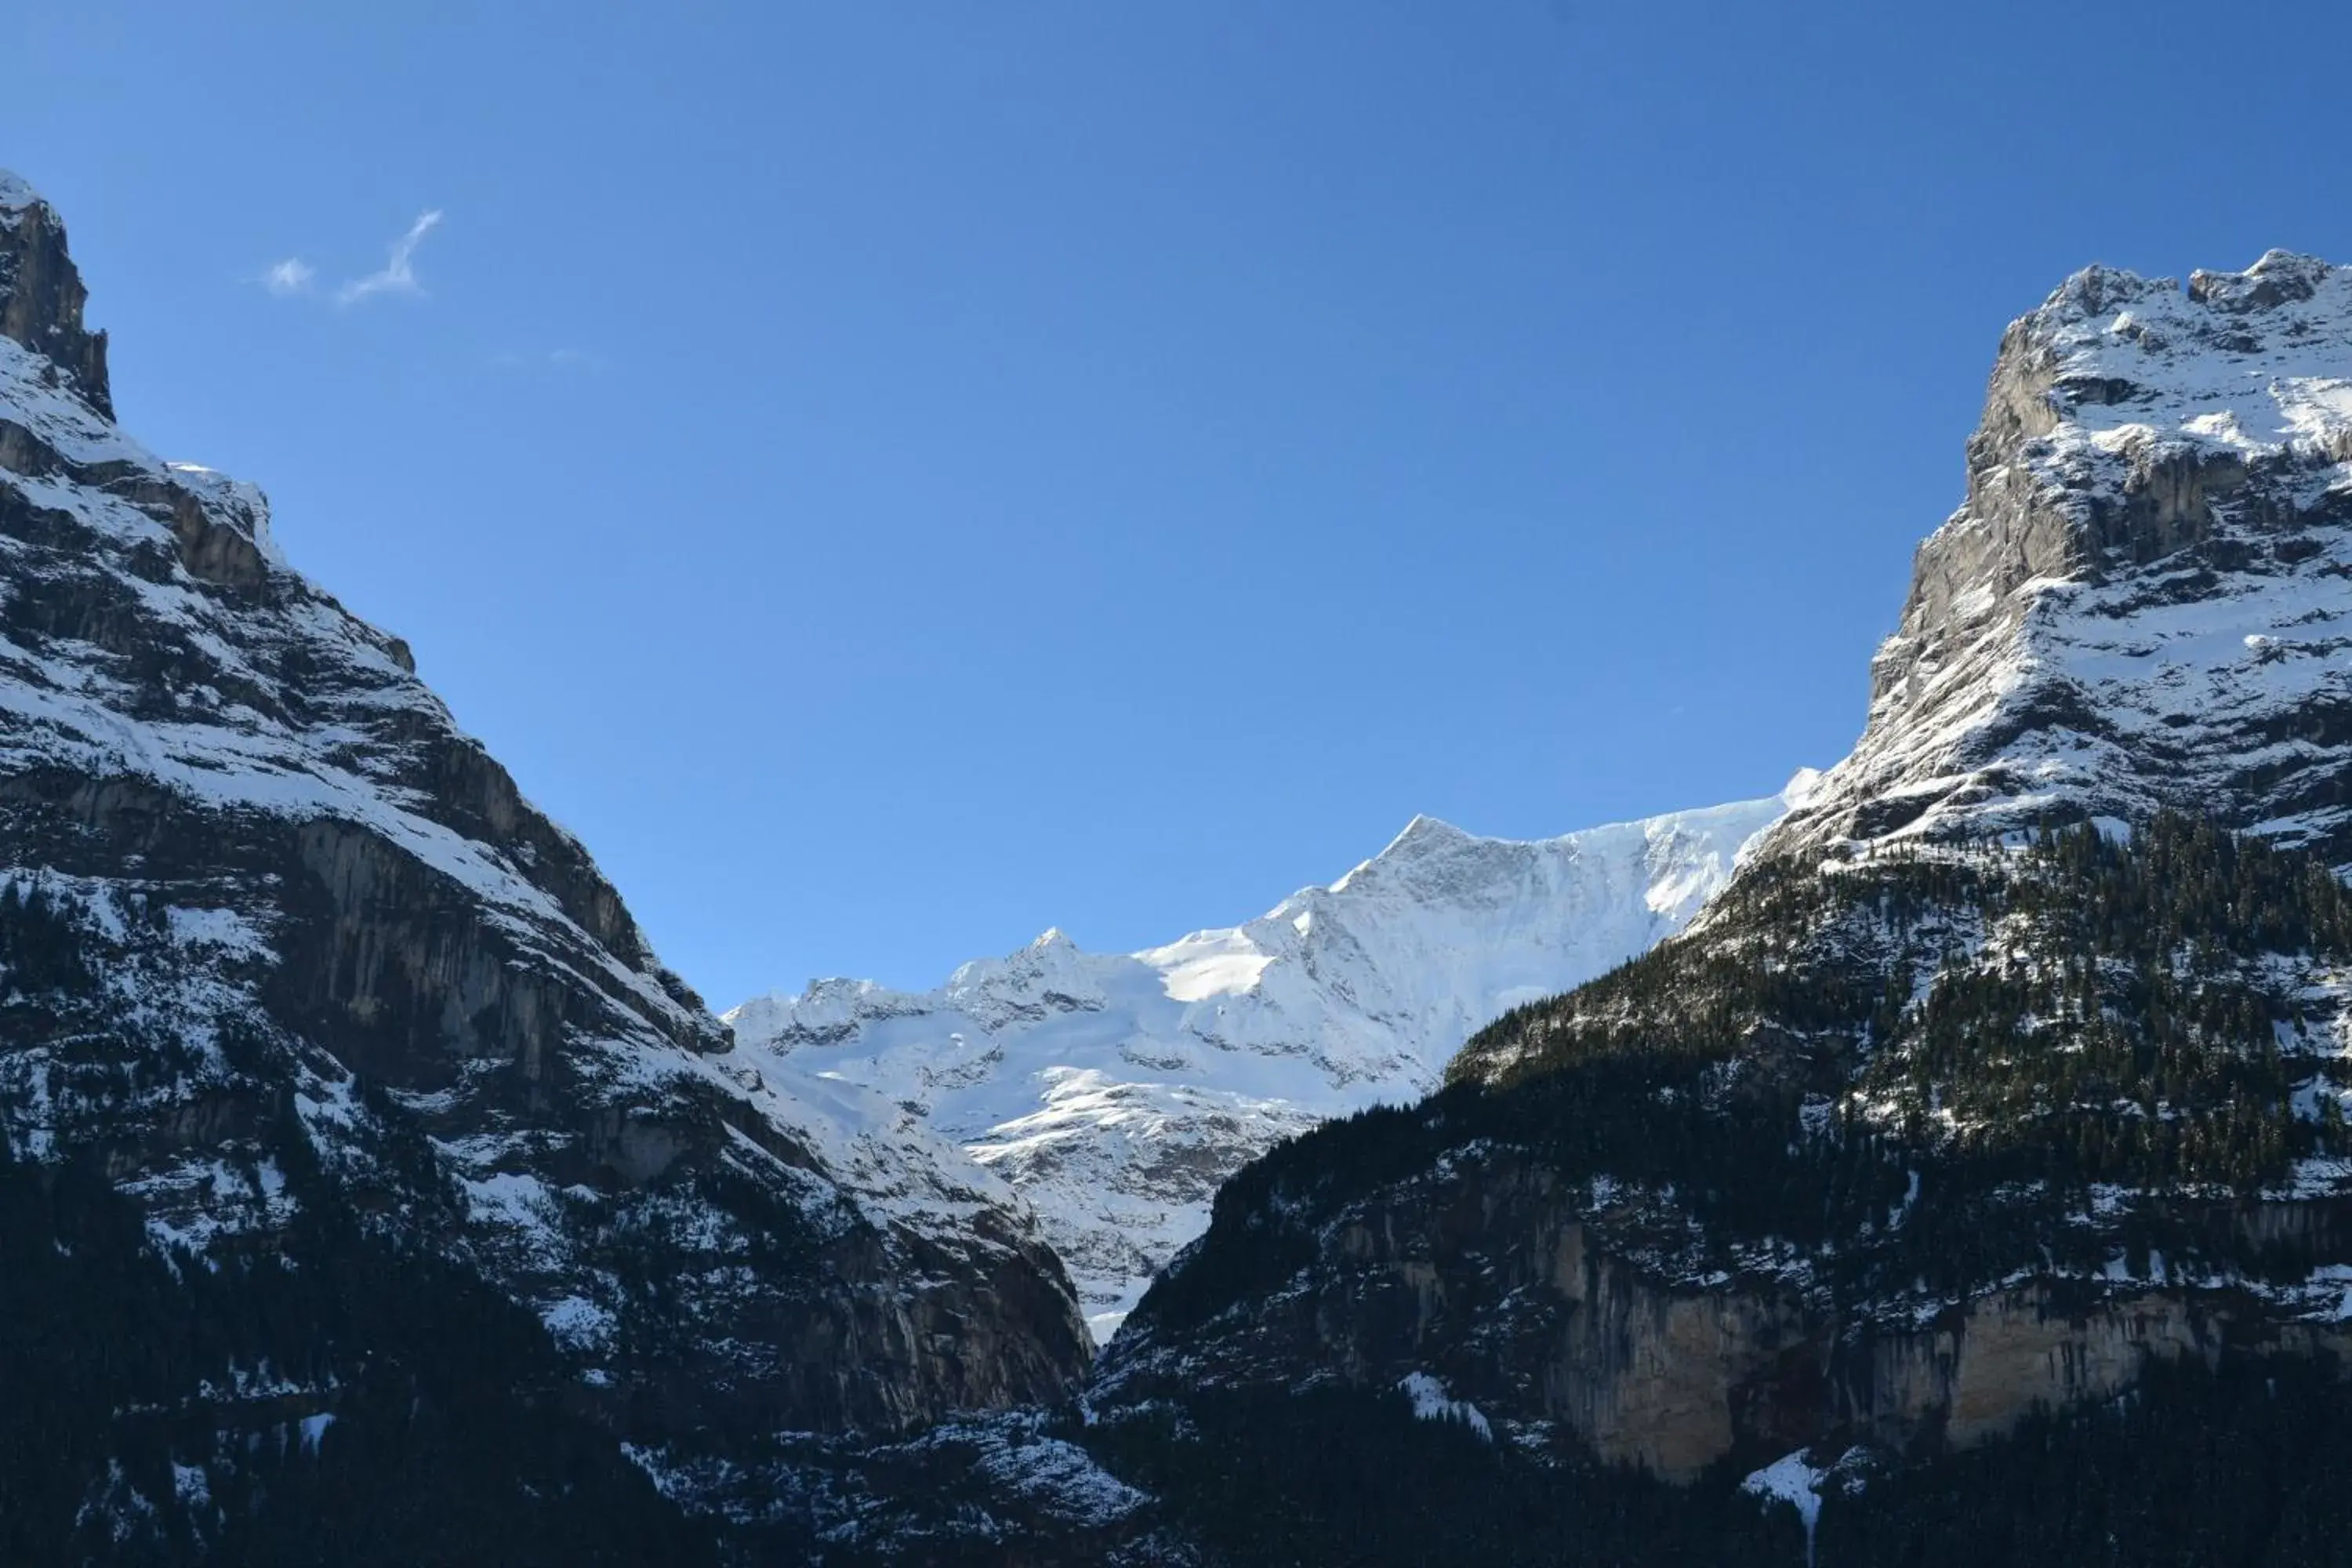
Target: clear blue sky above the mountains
904, 476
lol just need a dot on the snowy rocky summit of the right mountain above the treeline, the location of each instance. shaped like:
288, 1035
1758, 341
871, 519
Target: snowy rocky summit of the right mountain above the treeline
2144, 596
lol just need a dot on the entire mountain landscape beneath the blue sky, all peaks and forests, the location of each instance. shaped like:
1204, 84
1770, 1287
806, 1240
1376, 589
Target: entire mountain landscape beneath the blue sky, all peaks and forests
1942, 1162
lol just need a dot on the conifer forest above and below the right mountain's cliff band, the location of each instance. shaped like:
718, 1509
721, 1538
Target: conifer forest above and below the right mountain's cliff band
1918, 1076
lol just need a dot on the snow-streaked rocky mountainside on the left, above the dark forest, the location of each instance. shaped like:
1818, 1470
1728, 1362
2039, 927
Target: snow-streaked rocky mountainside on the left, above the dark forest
288, 958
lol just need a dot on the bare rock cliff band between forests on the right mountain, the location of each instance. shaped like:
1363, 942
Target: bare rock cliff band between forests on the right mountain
1495, 1278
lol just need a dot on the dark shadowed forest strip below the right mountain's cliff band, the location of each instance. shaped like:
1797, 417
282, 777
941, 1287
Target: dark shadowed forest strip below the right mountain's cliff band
1299, 1482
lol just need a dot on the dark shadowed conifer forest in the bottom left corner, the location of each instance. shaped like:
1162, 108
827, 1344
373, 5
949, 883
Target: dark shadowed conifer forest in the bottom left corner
145, 1376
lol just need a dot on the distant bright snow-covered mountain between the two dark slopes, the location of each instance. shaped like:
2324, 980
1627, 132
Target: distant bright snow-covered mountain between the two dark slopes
1116, 1092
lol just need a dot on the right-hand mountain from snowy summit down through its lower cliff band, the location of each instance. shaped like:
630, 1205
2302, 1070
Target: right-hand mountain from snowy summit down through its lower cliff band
1930, 1125
